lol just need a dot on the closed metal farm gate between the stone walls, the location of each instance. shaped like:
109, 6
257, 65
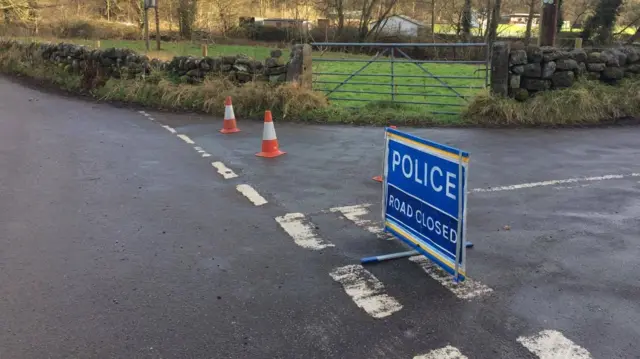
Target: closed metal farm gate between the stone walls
429, 77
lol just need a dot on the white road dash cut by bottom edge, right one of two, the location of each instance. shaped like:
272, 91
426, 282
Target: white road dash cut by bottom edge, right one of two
551, 344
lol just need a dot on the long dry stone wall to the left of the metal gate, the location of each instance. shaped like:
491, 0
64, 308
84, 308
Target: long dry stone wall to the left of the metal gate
116, 63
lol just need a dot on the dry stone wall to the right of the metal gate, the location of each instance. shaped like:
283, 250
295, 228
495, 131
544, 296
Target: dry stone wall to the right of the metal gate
533, 69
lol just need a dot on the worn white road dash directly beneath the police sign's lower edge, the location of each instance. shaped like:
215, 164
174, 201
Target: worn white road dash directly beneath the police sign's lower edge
468, 289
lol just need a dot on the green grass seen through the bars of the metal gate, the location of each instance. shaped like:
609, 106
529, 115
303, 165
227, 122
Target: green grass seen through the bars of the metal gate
430, 87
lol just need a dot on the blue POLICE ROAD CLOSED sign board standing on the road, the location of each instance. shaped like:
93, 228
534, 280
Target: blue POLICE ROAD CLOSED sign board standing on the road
424, 198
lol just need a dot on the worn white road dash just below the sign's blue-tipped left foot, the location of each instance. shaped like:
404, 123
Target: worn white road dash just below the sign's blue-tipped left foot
366, 290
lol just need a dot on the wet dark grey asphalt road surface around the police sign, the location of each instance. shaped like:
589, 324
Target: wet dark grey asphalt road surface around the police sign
119, 240
